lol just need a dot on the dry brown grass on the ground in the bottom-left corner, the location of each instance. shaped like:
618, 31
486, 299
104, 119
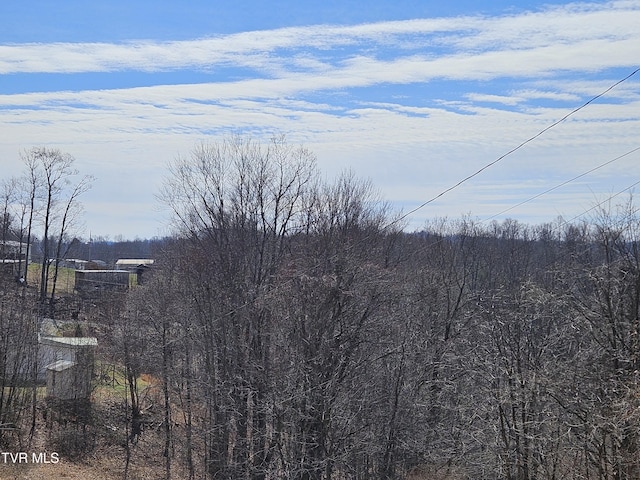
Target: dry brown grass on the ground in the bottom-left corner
96, 451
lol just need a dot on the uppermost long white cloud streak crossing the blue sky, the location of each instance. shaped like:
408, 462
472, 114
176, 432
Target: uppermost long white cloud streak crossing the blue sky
546, 40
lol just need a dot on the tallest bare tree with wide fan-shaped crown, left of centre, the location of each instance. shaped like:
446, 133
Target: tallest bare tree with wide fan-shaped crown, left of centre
237, 203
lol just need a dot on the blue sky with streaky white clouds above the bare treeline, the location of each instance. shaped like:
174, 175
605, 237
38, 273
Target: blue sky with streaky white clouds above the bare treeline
413, 95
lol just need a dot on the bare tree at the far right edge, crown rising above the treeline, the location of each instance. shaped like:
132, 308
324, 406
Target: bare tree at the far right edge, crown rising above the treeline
607, 302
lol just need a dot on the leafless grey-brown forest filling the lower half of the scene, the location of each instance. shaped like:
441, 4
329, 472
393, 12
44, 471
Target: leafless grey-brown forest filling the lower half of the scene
292, 329
